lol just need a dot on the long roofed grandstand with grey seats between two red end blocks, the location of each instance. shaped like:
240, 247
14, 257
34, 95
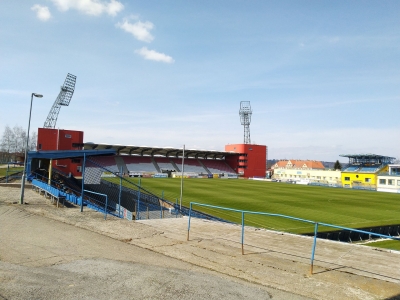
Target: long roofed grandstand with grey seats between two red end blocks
237, 160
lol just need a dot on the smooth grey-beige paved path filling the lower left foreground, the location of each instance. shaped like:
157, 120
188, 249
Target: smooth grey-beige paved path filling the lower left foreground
42, 258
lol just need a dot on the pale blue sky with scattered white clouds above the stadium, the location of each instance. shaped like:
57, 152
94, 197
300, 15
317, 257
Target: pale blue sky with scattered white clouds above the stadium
323, 77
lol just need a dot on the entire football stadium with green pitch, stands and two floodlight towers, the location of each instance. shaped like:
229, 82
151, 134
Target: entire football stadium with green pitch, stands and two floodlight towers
143, 182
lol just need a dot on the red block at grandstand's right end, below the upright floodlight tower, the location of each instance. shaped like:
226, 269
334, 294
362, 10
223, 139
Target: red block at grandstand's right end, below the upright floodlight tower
252, 164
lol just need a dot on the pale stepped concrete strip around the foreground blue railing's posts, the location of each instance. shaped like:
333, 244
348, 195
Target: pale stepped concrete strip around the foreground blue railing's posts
281, 260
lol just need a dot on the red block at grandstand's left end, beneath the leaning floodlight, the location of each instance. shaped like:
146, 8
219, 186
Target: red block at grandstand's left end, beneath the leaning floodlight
60, 139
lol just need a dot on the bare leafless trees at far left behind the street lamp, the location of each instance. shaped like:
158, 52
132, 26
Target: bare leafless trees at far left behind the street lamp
13, 143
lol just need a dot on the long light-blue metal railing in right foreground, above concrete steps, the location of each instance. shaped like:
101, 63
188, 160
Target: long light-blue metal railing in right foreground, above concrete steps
316, 224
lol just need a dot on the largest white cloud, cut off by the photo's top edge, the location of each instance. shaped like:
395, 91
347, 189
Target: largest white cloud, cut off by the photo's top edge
90, 7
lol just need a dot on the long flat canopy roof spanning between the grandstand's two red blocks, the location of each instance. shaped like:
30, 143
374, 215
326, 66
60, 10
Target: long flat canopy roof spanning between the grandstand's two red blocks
162, 152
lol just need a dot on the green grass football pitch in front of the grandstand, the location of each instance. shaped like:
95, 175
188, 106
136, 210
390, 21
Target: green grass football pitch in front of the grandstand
343, 207
